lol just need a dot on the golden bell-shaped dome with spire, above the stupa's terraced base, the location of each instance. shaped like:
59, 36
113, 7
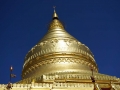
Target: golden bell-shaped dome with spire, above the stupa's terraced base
58, 51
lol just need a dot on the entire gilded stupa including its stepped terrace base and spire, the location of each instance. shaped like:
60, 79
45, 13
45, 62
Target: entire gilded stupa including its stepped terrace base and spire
61, 62
